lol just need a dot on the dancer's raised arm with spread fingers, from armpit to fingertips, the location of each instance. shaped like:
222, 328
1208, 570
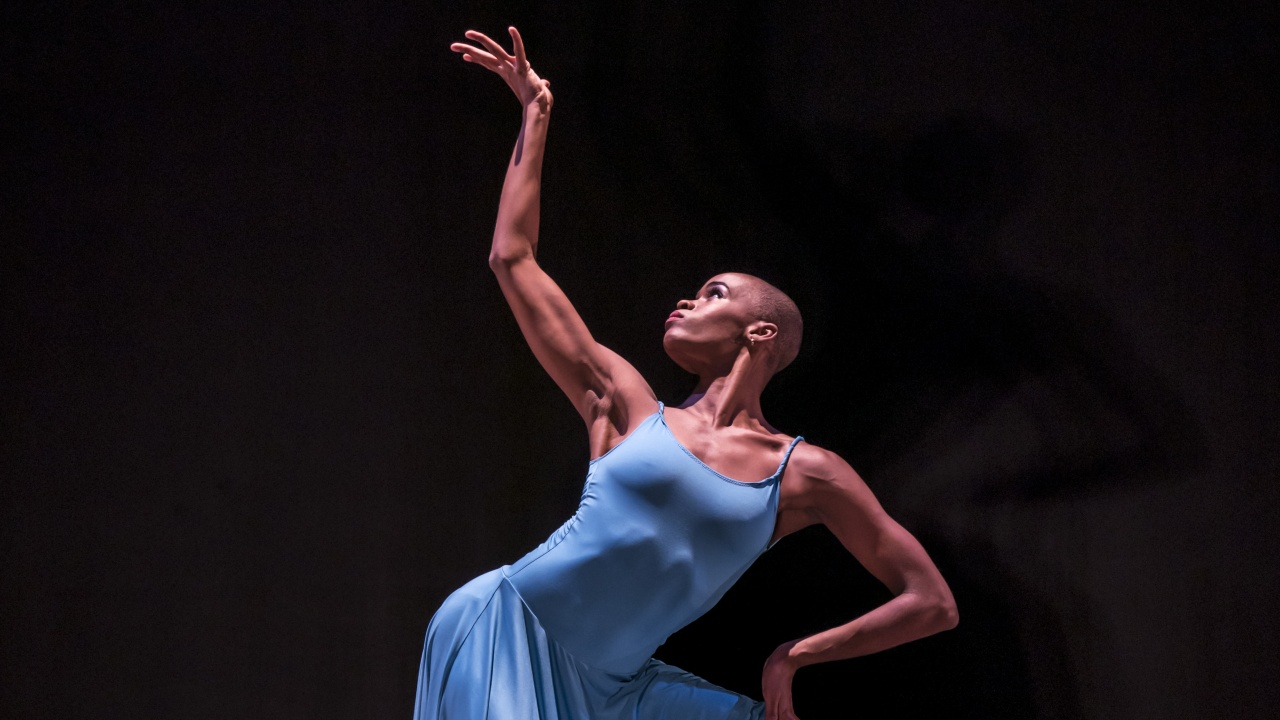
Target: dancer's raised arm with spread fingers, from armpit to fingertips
605, 389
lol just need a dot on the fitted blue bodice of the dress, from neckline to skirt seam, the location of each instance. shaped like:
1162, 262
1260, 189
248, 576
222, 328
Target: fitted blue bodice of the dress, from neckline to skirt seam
657, 540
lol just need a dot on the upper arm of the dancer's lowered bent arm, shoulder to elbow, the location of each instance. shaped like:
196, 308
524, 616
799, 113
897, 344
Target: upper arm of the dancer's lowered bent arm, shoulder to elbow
840, 500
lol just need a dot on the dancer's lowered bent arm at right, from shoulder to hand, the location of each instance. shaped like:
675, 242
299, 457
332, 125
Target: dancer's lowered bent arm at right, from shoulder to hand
830, 493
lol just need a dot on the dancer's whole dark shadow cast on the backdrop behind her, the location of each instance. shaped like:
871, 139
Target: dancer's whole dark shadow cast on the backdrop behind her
958, 389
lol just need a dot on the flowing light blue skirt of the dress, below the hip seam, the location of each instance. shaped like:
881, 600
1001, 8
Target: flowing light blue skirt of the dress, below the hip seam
487, 658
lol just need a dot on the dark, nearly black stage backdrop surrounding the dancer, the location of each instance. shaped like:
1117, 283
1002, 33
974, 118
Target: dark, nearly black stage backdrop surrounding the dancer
264, 405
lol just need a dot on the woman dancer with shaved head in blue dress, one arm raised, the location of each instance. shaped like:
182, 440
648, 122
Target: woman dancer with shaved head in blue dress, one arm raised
674, 511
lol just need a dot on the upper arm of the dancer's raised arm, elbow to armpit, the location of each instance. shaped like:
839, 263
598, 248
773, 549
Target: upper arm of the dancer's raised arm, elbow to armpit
596, 380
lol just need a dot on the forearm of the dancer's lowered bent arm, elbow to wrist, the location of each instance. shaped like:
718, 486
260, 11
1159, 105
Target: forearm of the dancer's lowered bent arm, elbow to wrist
906, 618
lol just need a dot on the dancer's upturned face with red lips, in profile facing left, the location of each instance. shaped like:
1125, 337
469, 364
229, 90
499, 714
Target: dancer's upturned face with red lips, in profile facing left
707, 331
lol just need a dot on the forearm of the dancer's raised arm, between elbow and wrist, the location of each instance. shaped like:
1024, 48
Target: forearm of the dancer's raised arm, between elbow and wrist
515, 235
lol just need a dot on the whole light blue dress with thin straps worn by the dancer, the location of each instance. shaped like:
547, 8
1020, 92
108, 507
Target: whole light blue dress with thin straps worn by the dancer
569, 632
